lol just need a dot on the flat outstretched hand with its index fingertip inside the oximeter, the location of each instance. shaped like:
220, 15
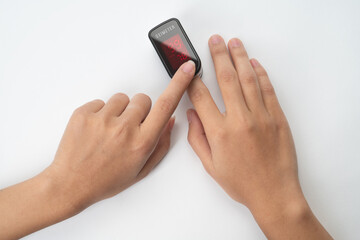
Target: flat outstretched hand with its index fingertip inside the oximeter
248, 149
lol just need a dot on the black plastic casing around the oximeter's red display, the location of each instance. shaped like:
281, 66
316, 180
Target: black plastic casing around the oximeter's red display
160, 33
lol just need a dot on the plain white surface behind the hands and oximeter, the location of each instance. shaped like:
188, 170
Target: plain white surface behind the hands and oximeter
57, 55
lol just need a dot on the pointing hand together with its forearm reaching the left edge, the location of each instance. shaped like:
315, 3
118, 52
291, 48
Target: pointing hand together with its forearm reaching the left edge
105, 149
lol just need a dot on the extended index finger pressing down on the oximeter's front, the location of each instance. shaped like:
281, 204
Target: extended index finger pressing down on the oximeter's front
168, 100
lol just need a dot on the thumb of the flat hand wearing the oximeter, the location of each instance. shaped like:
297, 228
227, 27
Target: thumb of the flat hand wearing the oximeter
198, 140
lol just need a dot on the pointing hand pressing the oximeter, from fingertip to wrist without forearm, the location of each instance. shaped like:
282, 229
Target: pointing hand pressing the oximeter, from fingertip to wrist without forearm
108, 147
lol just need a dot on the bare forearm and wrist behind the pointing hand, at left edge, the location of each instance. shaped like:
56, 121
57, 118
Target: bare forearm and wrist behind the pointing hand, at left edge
32, 205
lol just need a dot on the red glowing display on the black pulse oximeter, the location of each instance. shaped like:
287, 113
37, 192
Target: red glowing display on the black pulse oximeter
175, 51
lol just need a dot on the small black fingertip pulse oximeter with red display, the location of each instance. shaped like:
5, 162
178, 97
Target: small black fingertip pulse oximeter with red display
173, 46
